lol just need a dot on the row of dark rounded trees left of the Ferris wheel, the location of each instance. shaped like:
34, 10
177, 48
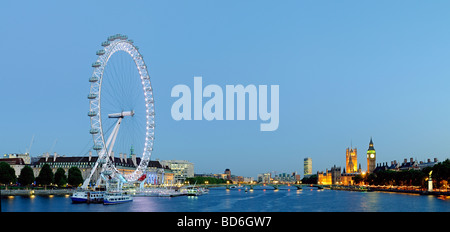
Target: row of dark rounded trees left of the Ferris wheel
46, 176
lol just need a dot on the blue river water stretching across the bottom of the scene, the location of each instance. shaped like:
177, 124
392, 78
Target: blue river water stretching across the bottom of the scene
238, 200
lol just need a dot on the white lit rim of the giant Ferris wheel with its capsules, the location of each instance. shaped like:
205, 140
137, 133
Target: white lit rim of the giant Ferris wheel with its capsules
111, 46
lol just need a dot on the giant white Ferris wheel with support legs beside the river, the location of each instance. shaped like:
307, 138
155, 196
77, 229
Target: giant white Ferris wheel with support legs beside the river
120, 98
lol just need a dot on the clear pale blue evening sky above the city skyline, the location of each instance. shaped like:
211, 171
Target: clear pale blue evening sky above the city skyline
347, 70
